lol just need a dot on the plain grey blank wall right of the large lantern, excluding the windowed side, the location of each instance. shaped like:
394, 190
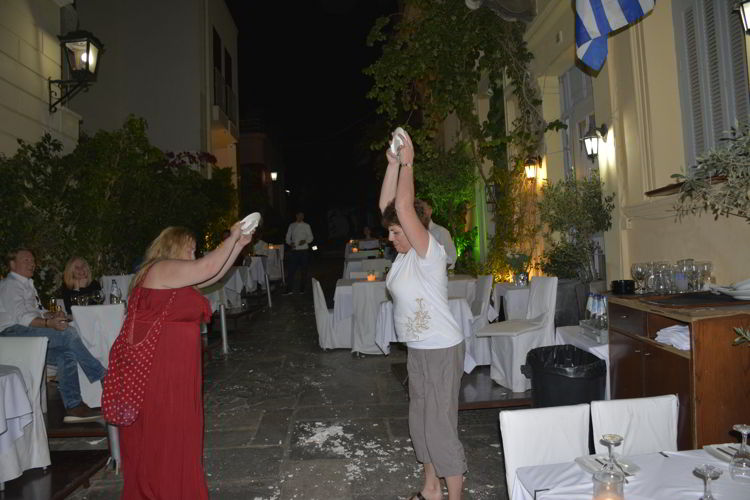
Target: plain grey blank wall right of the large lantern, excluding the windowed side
153, 67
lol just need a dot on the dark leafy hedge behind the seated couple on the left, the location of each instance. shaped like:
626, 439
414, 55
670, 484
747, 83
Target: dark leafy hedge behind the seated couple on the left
106, 200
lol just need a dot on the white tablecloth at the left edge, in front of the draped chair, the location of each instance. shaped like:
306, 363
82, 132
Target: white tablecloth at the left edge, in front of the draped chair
15, 407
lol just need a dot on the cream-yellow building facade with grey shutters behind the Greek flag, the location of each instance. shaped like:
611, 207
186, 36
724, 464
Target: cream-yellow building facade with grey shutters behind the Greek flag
671, 88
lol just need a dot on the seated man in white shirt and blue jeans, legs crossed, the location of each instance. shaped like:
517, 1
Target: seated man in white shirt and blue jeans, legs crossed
22, 315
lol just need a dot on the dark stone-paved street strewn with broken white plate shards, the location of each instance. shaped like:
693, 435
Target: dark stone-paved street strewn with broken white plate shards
285, 420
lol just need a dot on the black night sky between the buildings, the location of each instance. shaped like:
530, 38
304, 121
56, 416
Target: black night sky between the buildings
300, 68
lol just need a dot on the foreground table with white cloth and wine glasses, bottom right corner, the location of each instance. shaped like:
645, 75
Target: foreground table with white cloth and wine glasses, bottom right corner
659, 478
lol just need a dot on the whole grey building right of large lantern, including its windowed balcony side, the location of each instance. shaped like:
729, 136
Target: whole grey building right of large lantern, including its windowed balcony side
172, 62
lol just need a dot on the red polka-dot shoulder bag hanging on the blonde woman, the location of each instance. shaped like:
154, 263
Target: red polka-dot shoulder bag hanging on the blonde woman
129, 366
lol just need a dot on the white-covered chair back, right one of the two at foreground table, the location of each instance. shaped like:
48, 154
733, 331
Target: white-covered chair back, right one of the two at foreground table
648, 425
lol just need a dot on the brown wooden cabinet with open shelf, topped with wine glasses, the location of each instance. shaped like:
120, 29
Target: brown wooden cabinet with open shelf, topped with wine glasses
710, 379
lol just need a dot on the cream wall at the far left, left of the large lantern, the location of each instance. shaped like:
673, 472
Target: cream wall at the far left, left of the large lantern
29, 54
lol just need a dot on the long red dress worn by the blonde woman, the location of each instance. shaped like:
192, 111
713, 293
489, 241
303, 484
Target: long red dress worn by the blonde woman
162, 451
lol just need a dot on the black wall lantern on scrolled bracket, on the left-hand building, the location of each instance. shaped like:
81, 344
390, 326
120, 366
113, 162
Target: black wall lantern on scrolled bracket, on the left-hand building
80, 51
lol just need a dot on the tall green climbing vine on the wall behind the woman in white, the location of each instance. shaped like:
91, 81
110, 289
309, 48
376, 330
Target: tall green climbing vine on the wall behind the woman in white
434, 56
